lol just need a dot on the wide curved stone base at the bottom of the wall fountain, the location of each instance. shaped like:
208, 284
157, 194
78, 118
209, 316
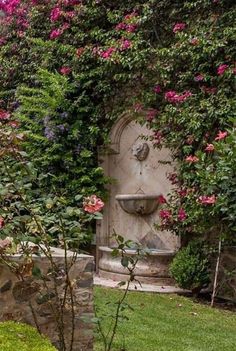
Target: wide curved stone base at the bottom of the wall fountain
154, 269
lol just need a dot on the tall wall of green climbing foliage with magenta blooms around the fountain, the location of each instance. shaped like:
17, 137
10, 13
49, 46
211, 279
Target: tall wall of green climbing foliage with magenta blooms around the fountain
69, 68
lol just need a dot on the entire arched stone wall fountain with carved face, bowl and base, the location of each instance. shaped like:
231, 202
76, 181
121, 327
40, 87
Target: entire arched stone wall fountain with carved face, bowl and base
139, 173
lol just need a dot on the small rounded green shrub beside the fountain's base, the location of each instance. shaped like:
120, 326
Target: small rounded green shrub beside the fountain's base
190, 267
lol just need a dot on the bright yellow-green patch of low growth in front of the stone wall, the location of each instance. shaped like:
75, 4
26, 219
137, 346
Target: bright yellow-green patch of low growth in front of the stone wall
21, 337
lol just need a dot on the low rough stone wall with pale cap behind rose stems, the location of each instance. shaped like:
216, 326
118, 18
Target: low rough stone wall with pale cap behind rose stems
19, 298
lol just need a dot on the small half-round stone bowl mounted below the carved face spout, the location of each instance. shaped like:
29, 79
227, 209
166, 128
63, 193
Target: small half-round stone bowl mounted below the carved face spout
138, 204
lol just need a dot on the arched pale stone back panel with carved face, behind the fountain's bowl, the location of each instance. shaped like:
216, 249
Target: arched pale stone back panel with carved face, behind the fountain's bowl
136, 168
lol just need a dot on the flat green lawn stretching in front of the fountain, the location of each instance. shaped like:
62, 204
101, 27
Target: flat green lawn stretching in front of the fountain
170, 323
